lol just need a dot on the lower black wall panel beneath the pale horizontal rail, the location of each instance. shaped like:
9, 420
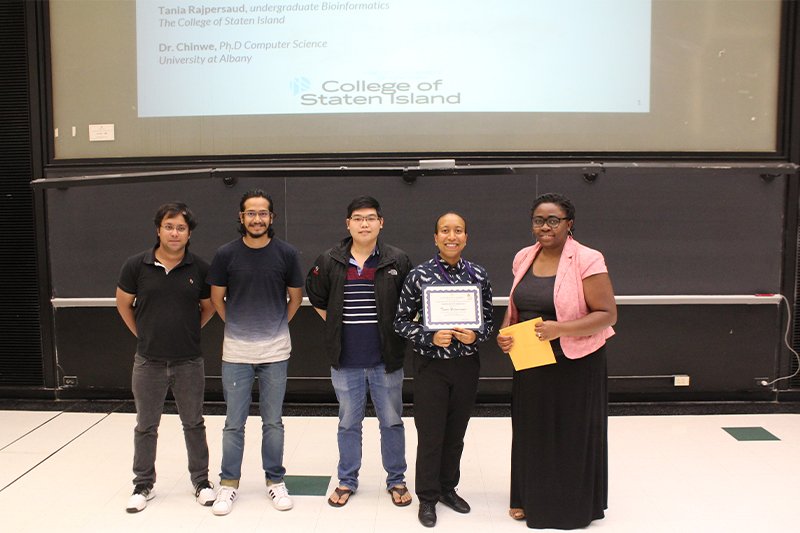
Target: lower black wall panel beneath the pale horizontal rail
725, 350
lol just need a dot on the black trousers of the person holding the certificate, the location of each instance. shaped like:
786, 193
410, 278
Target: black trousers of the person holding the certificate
444, 395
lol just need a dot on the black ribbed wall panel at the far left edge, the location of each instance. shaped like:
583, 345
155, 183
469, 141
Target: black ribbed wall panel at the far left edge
21, 361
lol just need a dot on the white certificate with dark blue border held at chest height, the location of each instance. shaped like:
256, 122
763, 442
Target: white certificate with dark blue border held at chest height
452, 306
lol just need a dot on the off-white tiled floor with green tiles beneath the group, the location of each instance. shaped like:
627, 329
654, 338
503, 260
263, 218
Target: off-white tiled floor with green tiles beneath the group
70, 472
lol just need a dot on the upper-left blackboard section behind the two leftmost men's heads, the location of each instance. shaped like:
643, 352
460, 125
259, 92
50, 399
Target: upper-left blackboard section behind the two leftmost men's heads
92, 230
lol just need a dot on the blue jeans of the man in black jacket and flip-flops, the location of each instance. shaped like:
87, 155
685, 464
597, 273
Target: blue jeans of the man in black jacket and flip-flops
351, 385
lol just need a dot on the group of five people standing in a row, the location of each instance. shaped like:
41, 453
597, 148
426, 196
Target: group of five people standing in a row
371, 301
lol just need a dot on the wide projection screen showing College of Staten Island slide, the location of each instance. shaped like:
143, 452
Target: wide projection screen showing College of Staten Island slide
712, 81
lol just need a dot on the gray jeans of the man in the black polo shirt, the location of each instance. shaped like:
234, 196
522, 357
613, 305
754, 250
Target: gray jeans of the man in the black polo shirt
150, 382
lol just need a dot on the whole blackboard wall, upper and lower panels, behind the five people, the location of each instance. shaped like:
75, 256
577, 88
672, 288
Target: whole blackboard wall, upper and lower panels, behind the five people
664, 231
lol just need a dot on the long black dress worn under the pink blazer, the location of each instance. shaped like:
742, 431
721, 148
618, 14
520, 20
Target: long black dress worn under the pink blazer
559, 416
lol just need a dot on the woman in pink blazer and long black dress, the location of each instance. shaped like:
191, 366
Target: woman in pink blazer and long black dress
559, 412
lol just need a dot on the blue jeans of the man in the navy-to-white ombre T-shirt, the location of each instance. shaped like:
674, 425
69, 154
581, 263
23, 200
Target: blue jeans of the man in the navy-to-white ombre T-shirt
237, 387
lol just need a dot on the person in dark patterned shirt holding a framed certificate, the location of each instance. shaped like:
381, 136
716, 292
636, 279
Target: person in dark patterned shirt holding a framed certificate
445, 309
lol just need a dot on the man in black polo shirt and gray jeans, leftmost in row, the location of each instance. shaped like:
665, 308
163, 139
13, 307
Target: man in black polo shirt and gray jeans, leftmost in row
164, 300
